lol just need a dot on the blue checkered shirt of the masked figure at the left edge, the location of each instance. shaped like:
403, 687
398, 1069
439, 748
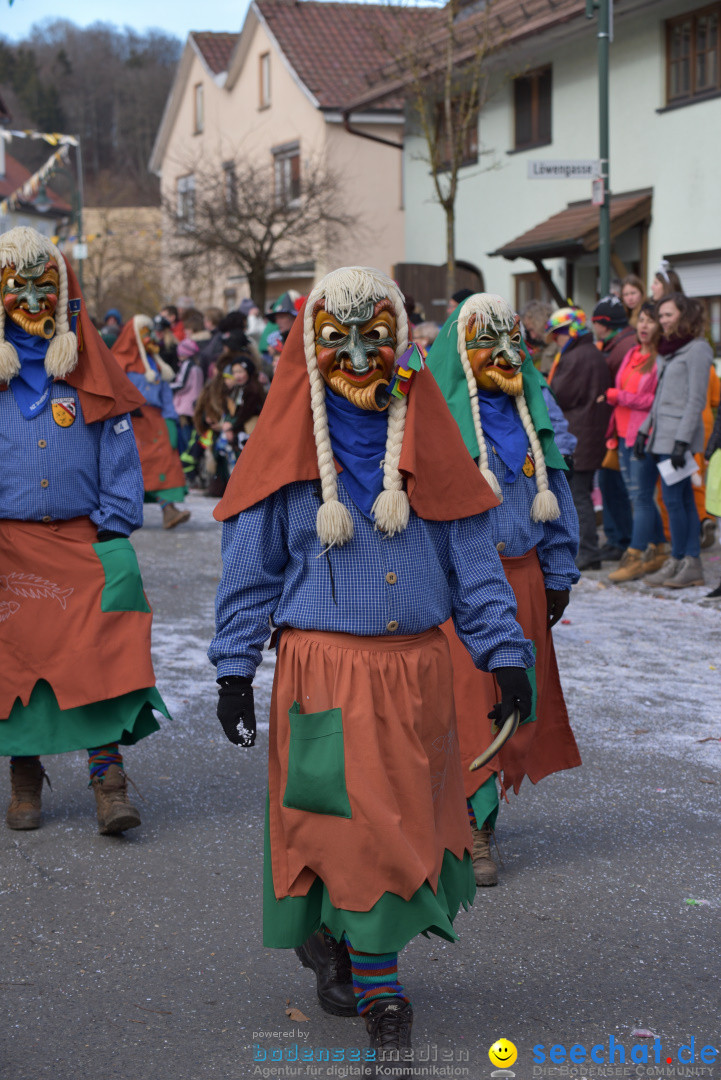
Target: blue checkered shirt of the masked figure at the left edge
55, 474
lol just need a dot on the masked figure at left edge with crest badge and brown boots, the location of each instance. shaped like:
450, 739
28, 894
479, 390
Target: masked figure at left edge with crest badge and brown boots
71, 494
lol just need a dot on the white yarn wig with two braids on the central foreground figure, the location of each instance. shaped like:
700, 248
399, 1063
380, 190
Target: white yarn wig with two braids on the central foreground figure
343, 291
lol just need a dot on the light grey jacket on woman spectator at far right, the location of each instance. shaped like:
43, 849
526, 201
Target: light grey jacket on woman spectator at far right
677, 411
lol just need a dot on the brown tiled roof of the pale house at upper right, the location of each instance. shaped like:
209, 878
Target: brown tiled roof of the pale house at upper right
506, 24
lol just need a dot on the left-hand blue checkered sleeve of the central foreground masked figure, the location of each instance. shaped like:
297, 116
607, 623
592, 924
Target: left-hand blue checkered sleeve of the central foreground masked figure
255, 552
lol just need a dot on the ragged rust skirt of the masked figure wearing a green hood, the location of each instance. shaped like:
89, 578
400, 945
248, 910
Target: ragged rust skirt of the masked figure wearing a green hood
541, 747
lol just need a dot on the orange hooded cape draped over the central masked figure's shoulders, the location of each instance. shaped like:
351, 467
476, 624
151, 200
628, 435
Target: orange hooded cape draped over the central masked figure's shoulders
442, 480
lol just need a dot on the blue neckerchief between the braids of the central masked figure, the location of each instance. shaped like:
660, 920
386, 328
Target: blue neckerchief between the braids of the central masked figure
358, 438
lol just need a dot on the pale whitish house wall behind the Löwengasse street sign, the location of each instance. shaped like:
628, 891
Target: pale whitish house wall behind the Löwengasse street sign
678, 154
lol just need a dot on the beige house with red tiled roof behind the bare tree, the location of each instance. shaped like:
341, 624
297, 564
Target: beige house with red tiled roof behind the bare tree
270, 96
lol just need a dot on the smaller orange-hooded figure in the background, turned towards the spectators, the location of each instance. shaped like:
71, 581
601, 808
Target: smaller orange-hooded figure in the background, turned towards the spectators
155, 424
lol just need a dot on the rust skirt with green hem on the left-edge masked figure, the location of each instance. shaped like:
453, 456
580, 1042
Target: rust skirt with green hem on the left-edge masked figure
75, 622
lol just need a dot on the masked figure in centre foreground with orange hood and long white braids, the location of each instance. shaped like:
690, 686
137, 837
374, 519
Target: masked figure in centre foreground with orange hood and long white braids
357, 522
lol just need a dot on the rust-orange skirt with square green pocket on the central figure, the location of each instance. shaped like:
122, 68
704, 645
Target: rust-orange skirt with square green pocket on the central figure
365, 786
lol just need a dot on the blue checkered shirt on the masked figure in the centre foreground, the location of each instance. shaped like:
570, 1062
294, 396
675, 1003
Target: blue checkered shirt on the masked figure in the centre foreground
275, 568
